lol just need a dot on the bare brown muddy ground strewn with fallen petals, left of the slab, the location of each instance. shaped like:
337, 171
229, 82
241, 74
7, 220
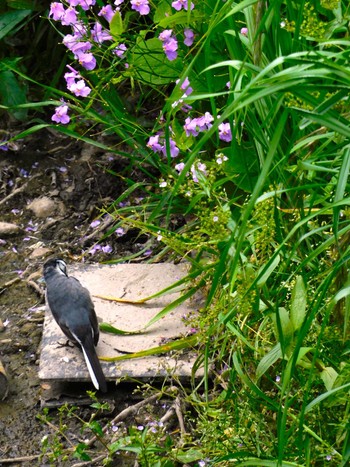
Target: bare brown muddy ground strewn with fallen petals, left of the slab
74, 181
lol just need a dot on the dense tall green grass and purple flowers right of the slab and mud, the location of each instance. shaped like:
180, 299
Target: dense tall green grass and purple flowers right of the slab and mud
238, 112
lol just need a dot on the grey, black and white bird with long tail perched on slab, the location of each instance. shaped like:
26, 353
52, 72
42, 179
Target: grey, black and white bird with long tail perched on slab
71, 306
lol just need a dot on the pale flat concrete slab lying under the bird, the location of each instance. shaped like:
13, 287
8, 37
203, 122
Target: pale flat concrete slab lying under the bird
128, 281
